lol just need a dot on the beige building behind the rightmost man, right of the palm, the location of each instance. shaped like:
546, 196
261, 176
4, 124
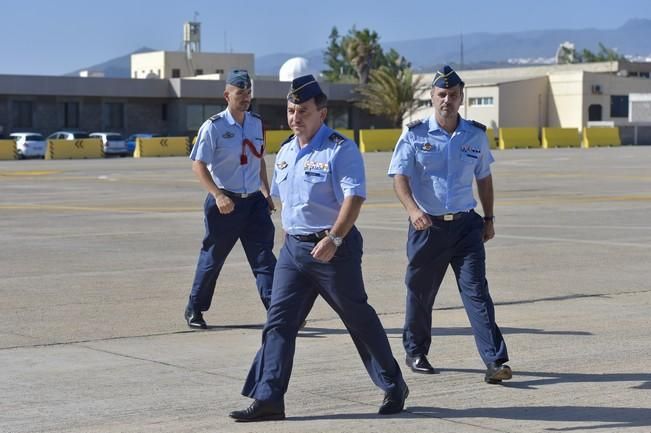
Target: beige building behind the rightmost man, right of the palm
568, 96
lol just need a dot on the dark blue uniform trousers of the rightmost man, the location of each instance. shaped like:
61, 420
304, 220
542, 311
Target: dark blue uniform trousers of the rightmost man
458, 243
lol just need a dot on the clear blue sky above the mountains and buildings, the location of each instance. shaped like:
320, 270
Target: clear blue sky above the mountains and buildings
57, 36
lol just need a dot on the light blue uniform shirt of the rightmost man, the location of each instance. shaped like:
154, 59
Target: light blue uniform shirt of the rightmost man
441, 166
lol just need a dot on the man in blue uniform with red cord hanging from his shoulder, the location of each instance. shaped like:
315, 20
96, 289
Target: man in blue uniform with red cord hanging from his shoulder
228, 159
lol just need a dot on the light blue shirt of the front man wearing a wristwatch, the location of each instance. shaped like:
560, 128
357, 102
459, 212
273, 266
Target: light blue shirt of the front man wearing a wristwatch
313, 182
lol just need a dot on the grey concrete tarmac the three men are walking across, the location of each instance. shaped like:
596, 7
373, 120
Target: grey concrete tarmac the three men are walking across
97, 257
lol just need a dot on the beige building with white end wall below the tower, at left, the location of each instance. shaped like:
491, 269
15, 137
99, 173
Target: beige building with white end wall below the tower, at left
177, 64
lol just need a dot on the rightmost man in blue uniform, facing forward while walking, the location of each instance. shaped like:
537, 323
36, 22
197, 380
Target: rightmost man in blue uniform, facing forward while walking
433, 167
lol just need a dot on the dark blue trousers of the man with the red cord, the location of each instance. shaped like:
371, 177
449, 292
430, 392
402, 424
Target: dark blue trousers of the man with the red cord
251, 224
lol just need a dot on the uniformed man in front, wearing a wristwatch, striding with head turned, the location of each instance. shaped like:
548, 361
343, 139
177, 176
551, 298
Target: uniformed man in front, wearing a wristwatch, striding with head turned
319, 177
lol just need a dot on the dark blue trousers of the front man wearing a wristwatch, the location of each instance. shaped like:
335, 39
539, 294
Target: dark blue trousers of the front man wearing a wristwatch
297, 282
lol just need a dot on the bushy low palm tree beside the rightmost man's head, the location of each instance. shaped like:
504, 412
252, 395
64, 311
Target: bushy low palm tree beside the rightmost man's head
390, 95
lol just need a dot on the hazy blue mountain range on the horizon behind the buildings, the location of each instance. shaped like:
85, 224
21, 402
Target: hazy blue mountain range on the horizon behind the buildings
479, 49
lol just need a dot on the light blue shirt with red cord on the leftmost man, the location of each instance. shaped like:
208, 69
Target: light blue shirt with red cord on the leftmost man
219, 145
